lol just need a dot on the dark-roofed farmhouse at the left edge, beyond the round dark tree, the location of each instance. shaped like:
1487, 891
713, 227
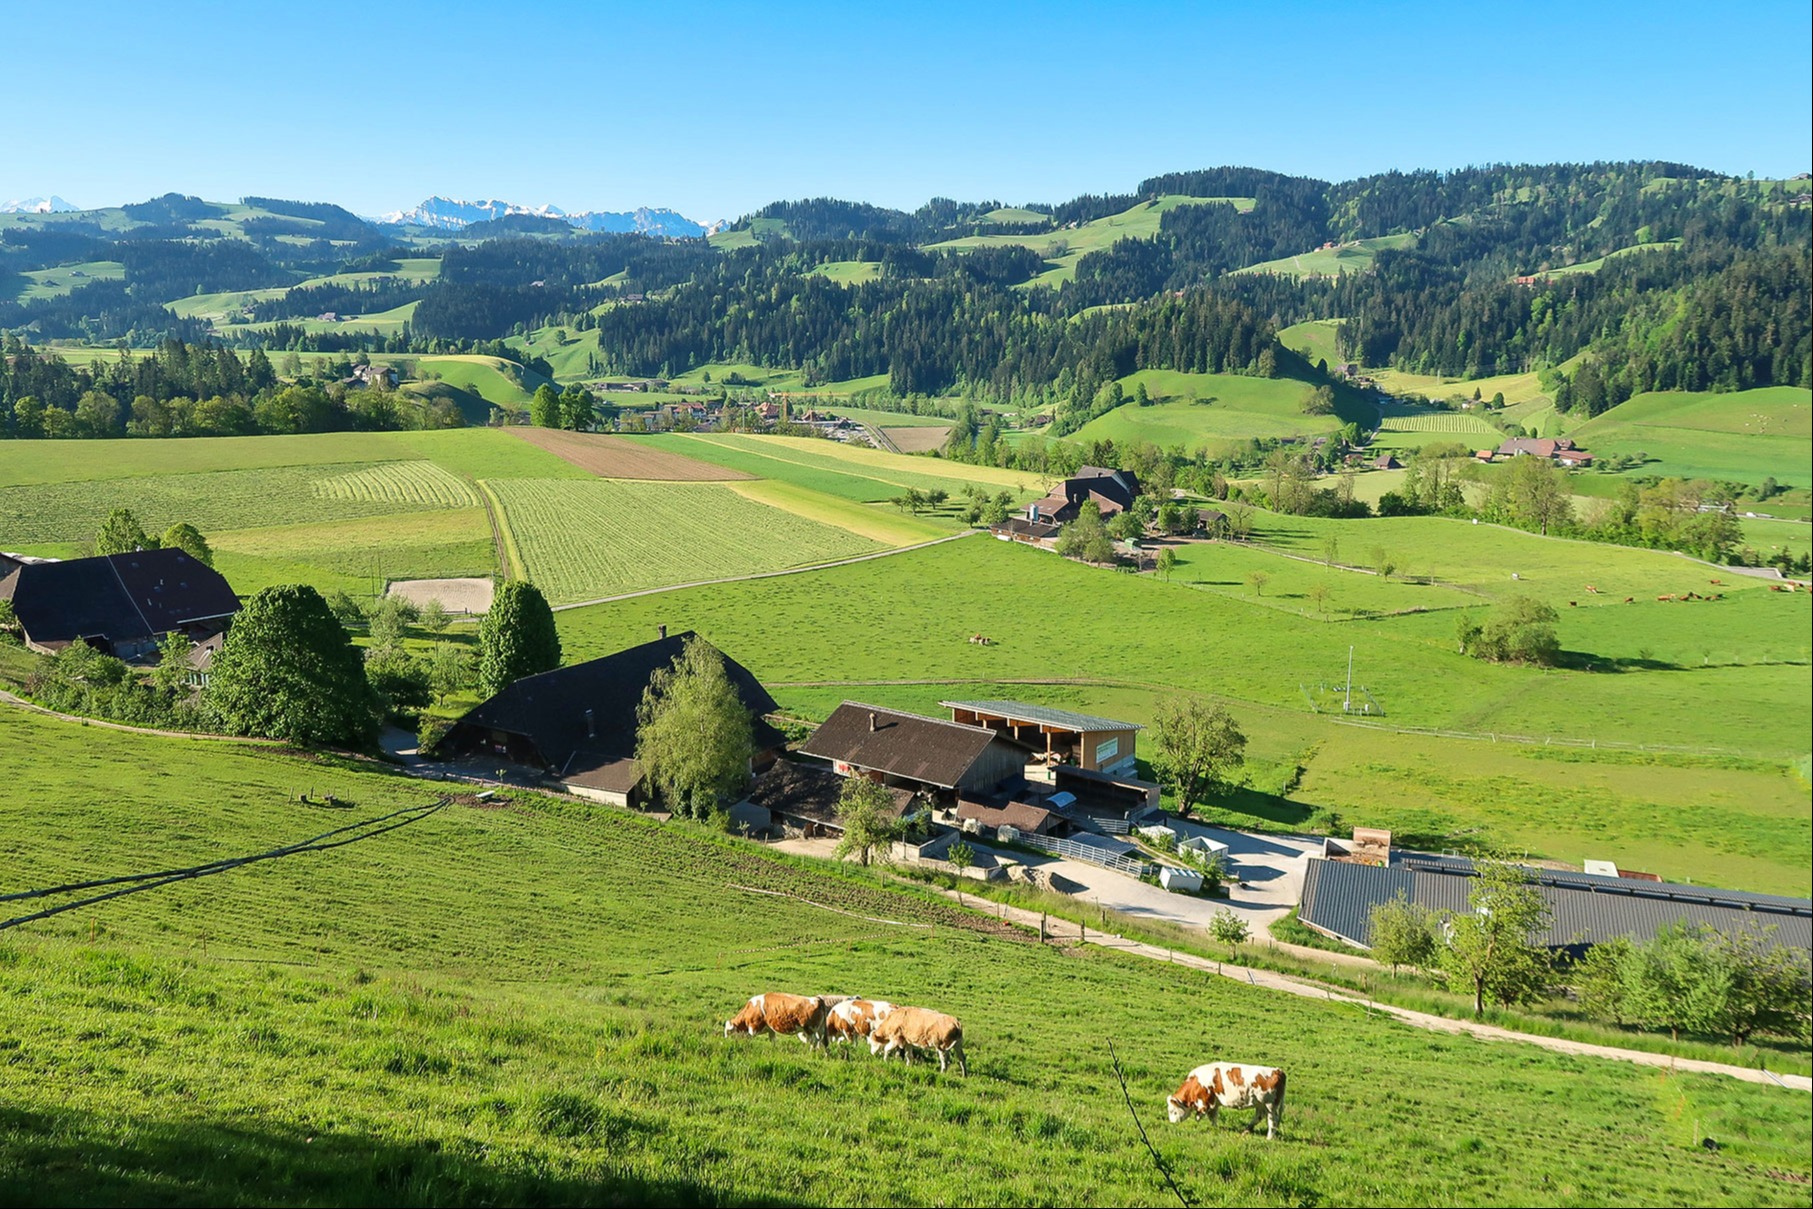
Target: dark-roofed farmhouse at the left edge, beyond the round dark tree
119, 604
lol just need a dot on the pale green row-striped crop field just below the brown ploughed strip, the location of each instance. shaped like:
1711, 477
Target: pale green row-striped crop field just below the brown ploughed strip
599, 537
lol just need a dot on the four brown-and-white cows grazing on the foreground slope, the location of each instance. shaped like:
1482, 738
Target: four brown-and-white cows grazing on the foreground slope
893, 1029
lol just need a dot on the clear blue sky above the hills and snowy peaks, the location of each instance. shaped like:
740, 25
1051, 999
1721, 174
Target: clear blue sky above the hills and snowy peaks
715, 110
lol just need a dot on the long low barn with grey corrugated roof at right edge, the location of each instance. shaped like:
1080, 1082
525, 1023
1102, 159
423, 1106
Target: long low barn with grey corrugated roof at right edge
1585, 909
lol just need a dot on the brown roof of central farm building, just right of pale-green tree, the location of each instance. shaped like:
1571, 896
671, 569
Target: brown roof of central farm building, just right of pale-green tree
920, 755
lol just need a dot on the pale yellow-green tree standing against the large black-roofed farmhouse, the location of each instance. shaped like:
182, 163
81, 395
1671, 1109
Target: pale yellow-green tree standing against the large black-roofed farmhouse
693, 733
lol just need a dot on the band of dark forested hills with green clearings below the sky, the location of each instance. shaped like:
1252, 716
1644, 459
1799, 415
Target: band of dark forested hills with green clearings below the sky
1611, 278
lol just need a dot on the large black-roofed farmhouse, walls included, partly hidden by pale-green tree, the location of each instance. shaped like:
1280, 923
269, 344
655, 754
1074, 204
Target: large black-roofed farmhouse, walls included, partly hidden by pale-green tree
579, 724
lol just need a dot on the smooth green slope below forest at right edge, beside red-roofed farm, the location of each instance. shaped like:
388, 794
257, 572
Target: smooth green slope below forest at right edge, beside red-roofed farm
1741, 436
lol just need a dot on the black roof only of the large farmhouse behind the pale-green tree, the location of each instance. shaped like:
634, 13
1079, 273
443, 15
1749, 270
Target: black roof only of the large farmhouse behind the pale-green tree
587, 715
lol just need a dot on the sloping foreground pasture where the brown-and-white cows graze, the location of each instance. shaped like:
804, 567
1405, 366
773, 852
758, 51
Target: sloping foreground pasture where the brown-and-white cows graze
523, 1005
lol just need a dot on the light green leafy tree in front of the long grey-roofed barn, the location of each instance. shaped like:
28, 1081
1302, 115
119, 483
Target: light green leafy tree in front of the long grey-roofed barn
1491, 951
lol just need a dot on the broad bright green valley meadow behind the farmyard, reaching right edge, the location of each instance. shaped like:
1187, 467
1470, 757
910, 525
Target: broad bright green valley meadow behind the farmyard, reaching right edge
1256, 655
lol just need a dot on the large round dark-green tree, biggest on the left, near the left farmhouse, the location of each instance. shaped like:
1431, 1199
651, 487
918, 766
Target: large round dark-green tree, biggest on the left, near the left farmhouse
289, 672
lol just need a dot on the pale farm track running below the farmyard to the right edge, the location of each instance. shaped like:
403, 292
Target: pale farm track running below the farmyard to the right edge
1060, 929
